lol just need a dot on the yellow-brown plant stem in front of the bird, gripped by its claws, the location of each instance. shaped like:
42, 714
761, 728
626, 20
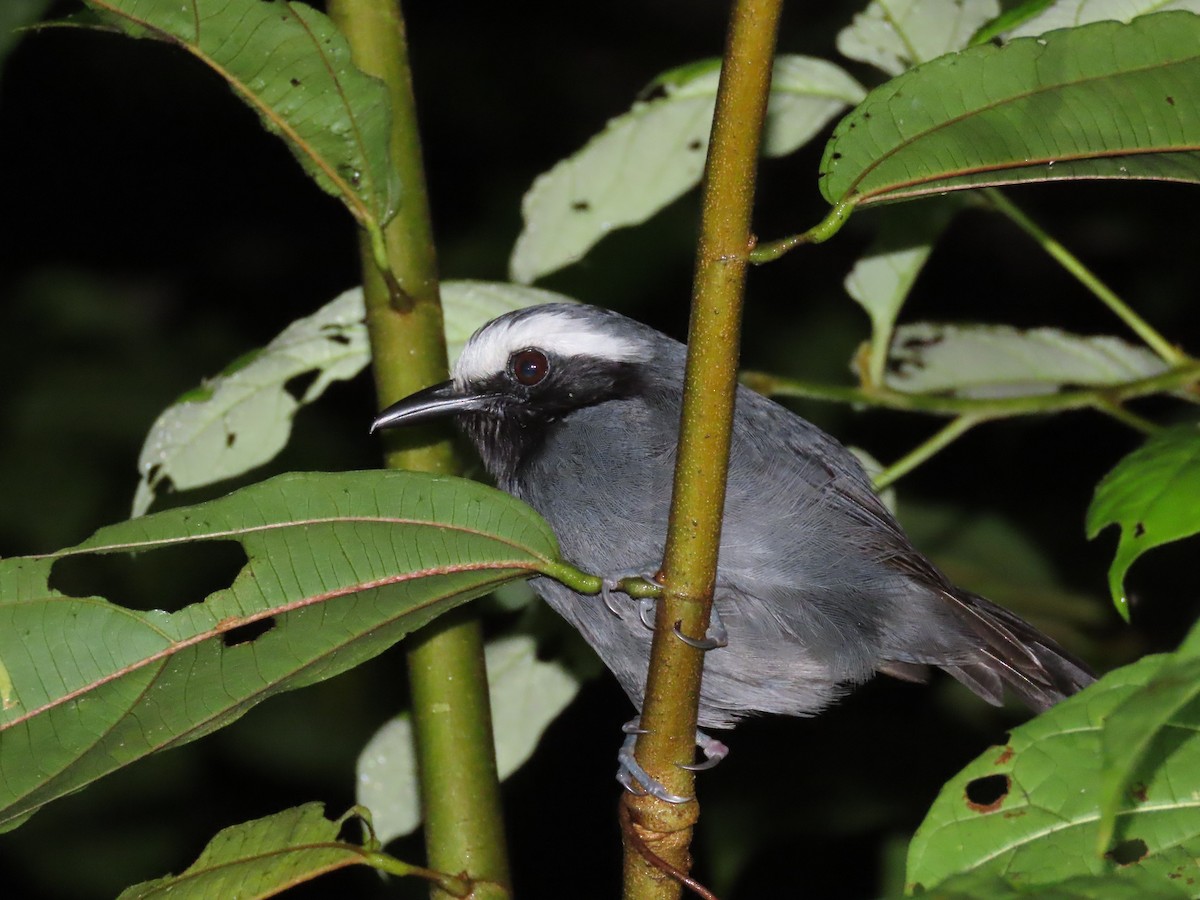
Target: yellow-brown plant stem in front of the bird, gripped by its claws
689, 566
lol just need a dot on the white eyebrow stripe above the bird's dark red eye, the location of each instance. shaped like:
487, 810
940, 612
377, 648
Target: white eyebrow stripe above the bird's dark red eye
562, 334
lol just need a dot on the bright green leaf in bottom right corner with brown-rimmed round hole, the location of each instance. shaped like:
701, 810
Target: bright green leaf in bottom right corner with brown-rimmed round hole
1030, 812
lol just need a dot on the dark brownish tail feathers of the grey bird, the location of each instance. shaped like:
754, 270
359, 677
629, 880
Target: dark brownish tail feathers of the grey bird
1015, 655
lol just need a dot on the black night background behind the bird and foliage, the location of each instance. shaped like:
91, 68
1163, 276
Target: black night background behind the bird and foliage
155, 233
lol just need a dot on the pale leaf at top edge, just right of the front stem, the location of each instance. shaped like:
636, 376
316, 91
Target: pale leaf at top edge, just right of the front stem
899, 34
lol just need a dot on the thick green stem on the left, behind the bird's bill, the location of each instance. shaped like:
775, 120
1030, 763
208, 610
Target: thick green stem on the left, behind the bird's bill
460, 790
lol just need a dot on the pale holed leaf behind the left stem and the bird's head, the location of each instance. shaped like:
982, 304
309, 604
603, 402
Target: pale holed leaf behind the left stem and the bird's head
243, 417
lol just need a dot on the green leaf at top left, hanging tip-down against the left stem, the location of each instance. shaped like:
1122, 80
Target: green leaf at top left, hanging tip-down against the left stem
293, 68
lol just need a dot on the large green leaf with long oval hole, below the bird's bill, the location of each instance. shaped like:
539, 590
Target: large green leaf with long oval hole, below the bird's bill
339, 568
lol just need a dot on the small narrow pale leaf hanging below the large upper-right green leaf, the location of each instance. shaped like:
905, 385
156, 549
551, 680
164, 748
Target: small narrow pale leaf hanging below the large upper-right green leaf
881, 280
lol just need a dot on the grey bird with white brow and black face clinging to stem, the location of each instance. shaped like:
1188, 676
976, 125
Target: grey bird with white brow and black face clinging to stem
575, 411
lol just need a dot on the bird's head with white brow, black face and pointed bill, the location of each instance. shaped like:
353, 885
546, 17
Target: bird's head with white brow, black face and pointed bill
526, 371
